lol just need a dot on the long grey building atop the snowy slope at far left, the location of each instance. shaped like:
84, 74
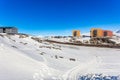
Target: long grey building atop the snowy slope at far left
8, 30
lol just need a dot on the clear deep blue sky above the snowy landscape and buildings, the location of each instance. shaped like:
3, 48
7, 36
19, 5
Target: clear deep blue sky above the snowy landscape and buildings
59, 17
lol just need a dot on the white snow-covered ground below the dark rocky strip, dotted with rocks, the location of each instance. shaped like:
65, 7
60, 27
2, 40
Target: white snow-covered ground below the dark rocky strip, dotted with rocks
26, 59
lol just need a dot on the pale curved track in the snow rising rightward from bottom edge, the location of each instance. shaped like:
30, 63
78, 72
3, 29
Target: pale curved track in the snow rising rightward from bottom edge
81, 69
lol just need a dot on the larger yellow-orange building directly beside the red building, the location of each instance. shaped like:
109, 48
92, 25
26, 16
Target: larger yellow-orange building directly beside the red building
96, 32
